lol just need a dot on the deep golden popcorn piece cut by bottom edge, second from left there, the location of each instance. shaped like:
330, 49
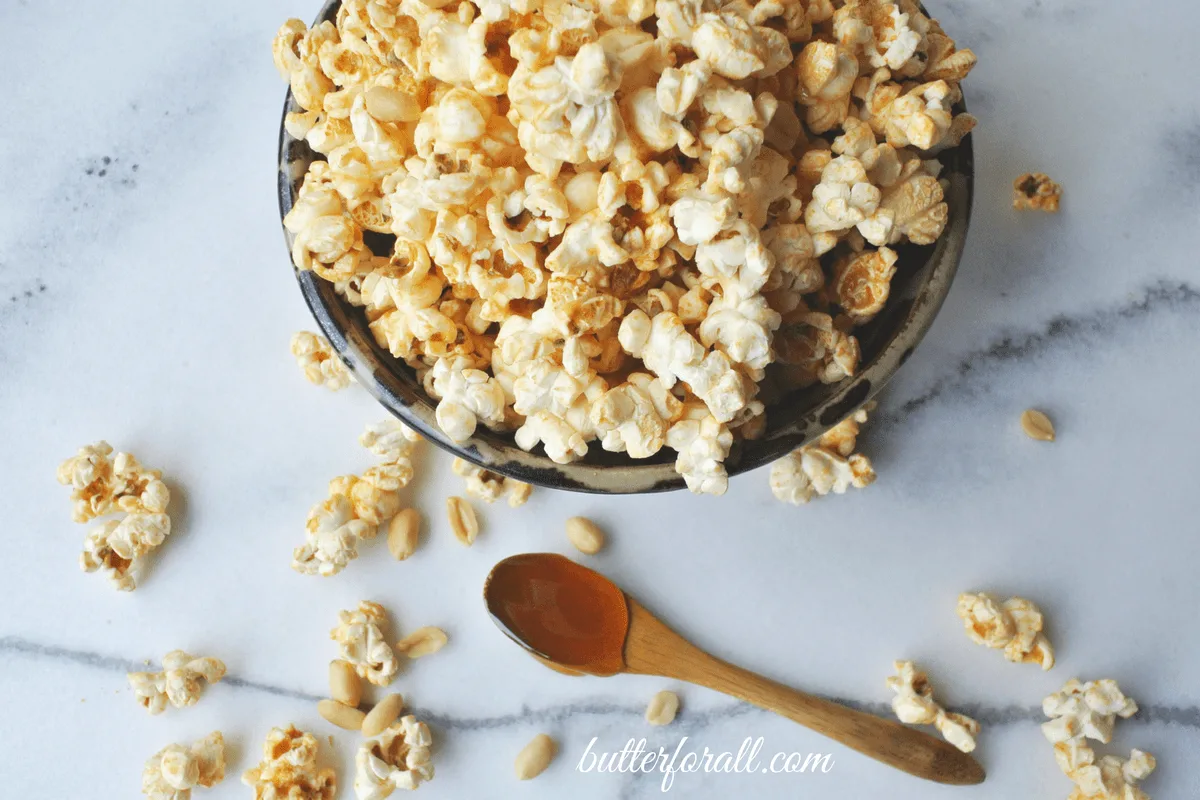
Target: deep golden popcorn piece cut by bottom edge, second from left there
289, 771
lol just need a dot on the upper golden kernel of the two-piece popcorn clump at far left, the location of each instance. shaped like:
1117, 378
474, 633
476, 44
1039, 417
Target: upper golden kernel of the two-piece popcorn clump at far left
101, 486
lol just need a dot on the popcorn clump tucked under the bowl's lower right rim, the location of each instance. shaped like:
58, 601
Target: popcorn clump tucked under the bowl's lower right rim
830, 465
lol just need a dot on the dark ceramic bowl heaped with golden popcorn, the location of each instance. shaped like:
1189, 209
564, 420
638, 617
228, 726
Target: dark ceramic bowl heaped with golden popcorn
623, 246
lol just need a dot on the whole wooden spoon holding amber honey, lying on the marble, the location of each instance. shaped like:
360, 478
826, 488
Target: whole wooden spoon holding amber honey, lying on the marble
575, 621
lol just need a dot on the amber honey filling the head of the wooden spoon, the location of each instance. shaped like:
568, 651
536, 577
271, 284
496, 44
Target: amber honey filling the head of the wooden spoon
560, 611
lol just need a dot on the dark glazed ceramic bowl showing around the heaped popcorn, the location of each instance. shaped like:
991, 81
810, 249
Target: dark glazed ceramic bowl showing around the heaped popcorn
919, 291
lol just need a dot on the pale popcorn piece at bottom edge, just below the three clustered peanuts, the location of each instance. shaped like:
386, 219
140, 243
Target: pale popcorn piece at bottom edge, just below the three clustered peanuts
399, 759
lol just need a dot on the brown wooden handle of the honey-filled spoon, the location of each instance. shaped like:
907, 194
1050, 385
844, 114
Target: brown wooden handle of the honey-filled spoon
655, 649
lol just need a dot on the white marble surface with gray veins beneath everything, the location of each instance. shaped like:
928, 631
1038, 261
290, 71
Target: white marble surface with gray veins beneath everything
146, 298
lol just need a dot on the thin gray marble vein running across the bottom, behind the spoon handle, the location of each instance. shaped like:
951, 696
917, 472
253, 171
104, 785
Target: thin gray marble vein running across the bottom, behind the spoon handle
689, 721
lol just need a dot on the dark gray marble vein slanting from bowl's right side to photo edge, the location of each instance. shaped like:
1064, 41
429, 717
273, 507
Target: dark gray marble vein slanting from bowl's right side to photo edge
1165, 296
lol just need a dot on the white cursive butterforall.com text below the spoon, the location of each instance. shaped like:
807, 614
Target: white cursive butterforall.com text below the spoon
635, 759
